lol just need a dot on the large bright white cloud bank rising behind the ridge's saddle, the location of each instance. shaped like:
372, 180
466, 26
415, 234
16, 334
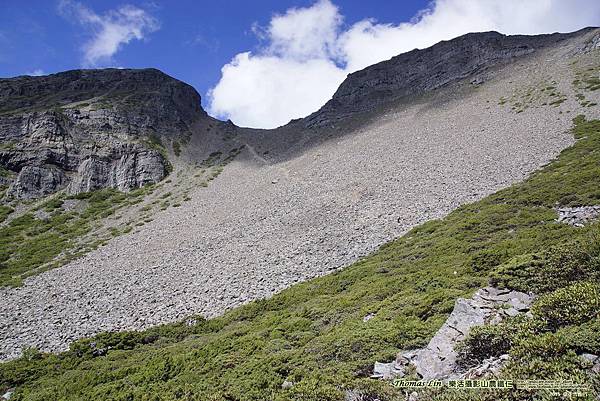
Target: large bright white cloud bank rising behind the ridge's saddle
308, 51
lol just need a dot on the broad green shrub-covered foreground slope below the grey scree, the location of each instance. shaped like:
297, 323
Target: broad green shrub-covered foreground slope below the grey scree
314, 336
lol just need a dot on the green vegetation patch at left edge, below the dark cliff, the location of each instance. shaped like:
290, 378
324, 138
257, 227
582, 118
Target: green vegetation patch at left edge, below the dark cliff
29, 244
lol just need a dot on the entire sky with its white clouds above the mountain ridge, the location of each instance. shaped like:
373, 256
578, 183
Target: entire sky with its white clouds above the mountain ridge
260, 62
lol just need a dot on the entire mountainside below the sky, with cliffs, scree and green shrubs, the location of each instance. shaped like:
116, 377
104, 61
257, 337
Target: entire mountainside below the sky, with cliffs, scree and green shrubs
436, 219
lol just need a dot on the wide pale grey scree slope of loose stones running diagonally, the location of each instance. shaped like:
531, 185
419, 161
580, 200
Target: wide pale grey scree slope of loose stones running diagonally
260, 227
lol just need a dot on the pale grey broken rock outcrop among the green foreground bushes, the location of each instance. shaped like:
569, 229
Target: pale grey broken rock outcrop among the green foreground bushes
438, 359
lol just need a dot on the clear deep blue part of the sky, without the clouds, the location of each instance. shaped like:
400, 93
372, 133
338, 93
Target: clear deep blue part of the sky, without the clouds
195, 38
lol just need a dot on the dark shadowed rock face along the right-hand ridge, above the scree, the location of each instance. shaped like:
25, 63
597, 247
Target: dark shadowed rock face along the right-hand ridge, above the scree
419, 71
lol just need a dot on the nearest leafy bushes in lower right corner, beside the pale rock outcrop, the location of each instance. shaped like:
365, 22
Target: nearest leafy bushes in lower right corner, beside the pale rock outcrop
546, 345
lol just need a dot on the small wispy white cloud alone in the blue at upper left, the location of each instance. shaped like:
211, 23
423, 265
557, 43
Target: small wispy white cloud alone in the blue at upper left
110, 31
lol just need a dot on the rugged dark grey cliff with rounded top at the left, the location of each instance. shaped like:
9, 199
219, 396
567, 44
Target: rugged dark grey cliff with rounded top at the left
93, 125
